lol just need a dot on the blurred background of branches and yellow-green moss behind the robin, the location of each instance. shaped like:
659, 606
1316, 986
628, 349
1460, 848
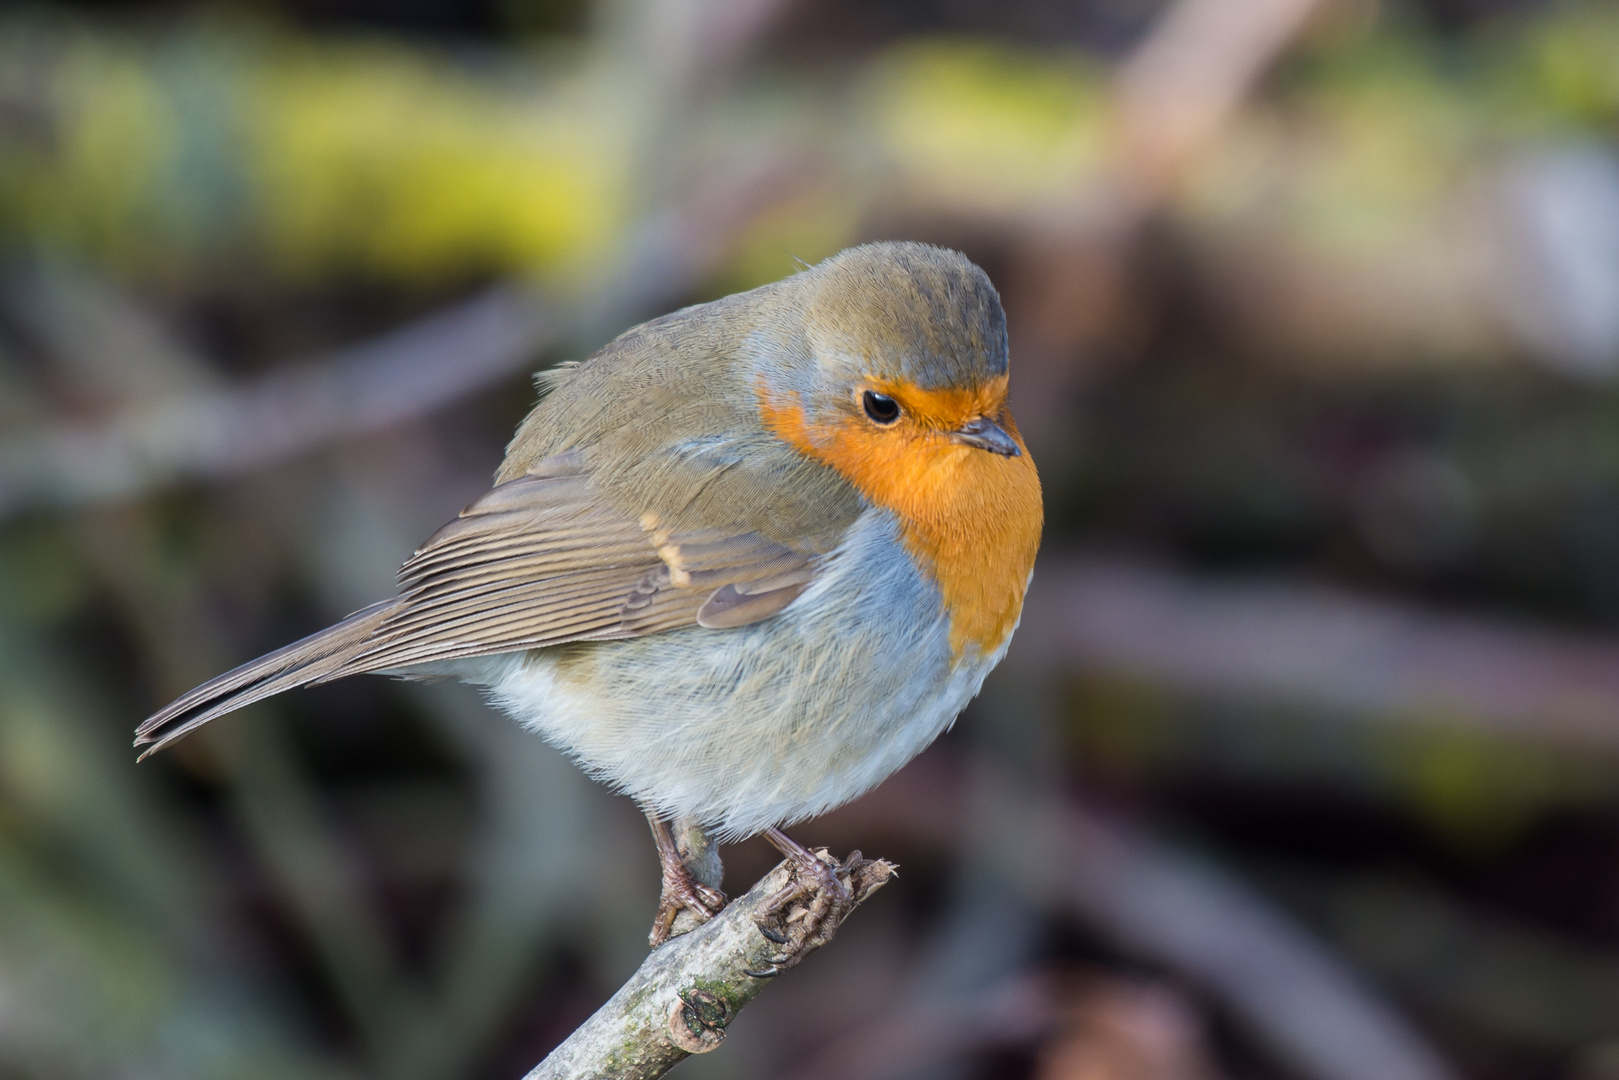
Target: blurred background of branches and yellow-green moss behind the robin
1306, 762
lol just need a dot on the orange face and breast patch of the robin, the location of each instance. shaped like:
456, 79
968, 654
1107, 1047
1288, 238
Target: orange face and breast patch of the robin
972, 519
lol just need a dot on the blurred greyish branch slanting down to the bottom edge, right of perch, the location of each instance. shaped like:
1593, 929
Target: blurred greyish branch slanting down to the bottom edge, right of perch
1175, 909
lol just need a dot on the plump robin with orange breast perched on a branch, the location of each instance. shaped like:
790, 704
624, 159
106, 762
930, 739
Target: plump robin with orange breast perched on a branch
741, 564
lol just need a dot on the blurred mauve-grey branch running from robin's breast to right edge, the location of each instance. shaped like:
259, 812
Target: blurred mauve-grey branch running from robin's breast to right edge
1325, 648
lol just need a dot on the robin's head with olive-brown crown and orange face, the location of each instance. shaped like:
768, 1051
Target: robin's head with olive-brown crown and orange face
906, 391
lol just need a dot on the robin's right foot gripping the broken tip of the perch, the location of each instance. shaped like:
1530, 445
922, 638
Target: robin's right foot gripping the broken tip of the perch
820, 893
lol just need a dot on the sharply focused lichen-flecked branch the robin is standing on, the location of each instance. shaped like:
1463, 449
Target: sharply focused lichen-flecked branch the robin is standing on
684, 997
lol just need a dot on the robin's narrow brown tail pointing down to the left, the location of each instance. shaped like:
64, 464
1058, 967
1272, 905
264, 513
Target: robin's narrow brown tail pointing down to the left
299, 665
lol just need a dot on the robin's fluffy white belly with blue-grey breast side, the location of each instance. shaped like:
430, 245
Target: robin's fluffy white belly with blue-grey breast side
767, 725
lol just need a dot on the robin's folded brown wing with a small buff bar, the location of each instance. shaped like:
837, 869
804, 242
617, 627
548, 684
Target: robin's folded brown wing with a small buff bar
542, 561
